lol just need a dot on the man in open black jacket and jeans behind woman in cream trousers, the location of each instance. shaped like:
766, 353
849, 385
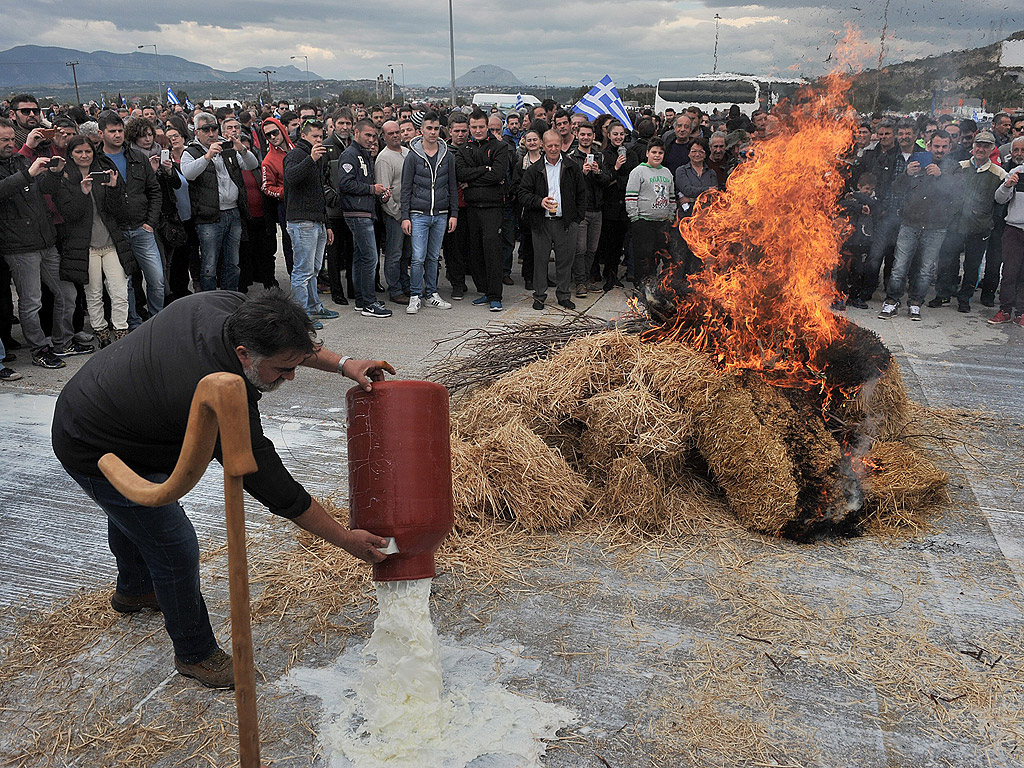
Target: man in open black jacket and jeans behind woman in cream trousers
142, 216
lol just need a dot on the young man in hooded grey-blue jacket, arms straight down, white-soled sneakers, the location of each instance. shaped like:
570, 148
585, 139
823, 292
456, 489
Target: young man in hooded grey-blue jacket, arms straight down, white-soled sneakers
430, 207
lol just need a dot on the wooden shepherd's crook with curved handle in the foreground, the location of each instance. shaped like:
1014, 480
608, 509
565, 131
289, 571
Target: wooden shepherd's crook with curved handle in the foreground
220, 404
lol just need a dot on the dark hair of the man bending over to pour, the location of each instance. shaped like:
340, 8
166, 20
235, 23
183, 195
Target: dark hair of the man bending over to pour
271, 324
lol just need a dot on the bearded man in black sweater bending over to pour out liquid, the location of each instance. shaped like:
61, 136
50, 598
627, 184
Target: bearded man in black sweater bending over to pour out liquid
134, 400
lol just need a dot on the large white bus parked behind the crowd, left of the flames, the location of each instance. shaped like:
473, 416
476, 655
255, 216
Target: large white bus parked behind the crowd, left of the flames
720, 92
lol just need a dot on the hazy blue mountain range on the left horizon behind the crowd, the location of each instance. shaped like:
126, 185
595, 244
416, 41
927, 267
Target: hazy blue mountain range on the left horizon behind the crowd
37, 65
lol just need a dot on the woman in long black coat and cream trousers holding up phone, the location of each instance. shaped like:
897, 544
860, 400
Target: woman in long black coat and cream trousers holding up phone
95, 247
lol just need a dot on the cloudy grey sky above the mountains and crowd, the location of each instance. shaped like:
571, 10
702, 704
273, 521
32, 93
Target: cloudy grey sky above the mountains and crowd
568, 42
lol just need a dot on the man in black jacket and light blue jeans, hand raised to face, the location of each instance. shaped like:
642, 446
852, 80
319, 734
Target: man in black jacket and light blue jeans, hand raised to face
307, 167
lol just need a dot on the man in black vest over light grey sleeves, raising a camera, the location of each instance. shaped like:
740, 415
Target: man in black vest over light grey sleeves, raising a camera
214, 166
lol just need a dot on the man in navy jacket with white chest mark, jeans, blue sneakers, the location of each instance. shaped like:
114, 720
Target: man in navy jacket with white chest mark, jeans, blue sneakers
359, 194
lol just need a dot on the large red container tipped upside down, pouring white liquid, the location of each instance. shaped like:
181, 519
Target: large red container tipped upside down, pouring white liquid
400, 473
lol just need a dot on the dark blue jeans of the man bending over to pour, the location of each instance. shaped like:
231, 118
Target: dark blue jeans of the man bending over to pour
156, 550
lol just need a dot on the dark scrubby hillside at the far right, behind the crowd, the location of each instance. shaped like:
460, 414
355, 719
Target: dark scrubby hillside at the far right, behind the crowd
975, 73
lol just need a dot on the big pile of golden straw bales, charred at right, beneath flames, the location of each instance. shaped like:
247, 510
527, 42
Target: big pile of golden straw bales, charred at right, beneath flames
612, 426
